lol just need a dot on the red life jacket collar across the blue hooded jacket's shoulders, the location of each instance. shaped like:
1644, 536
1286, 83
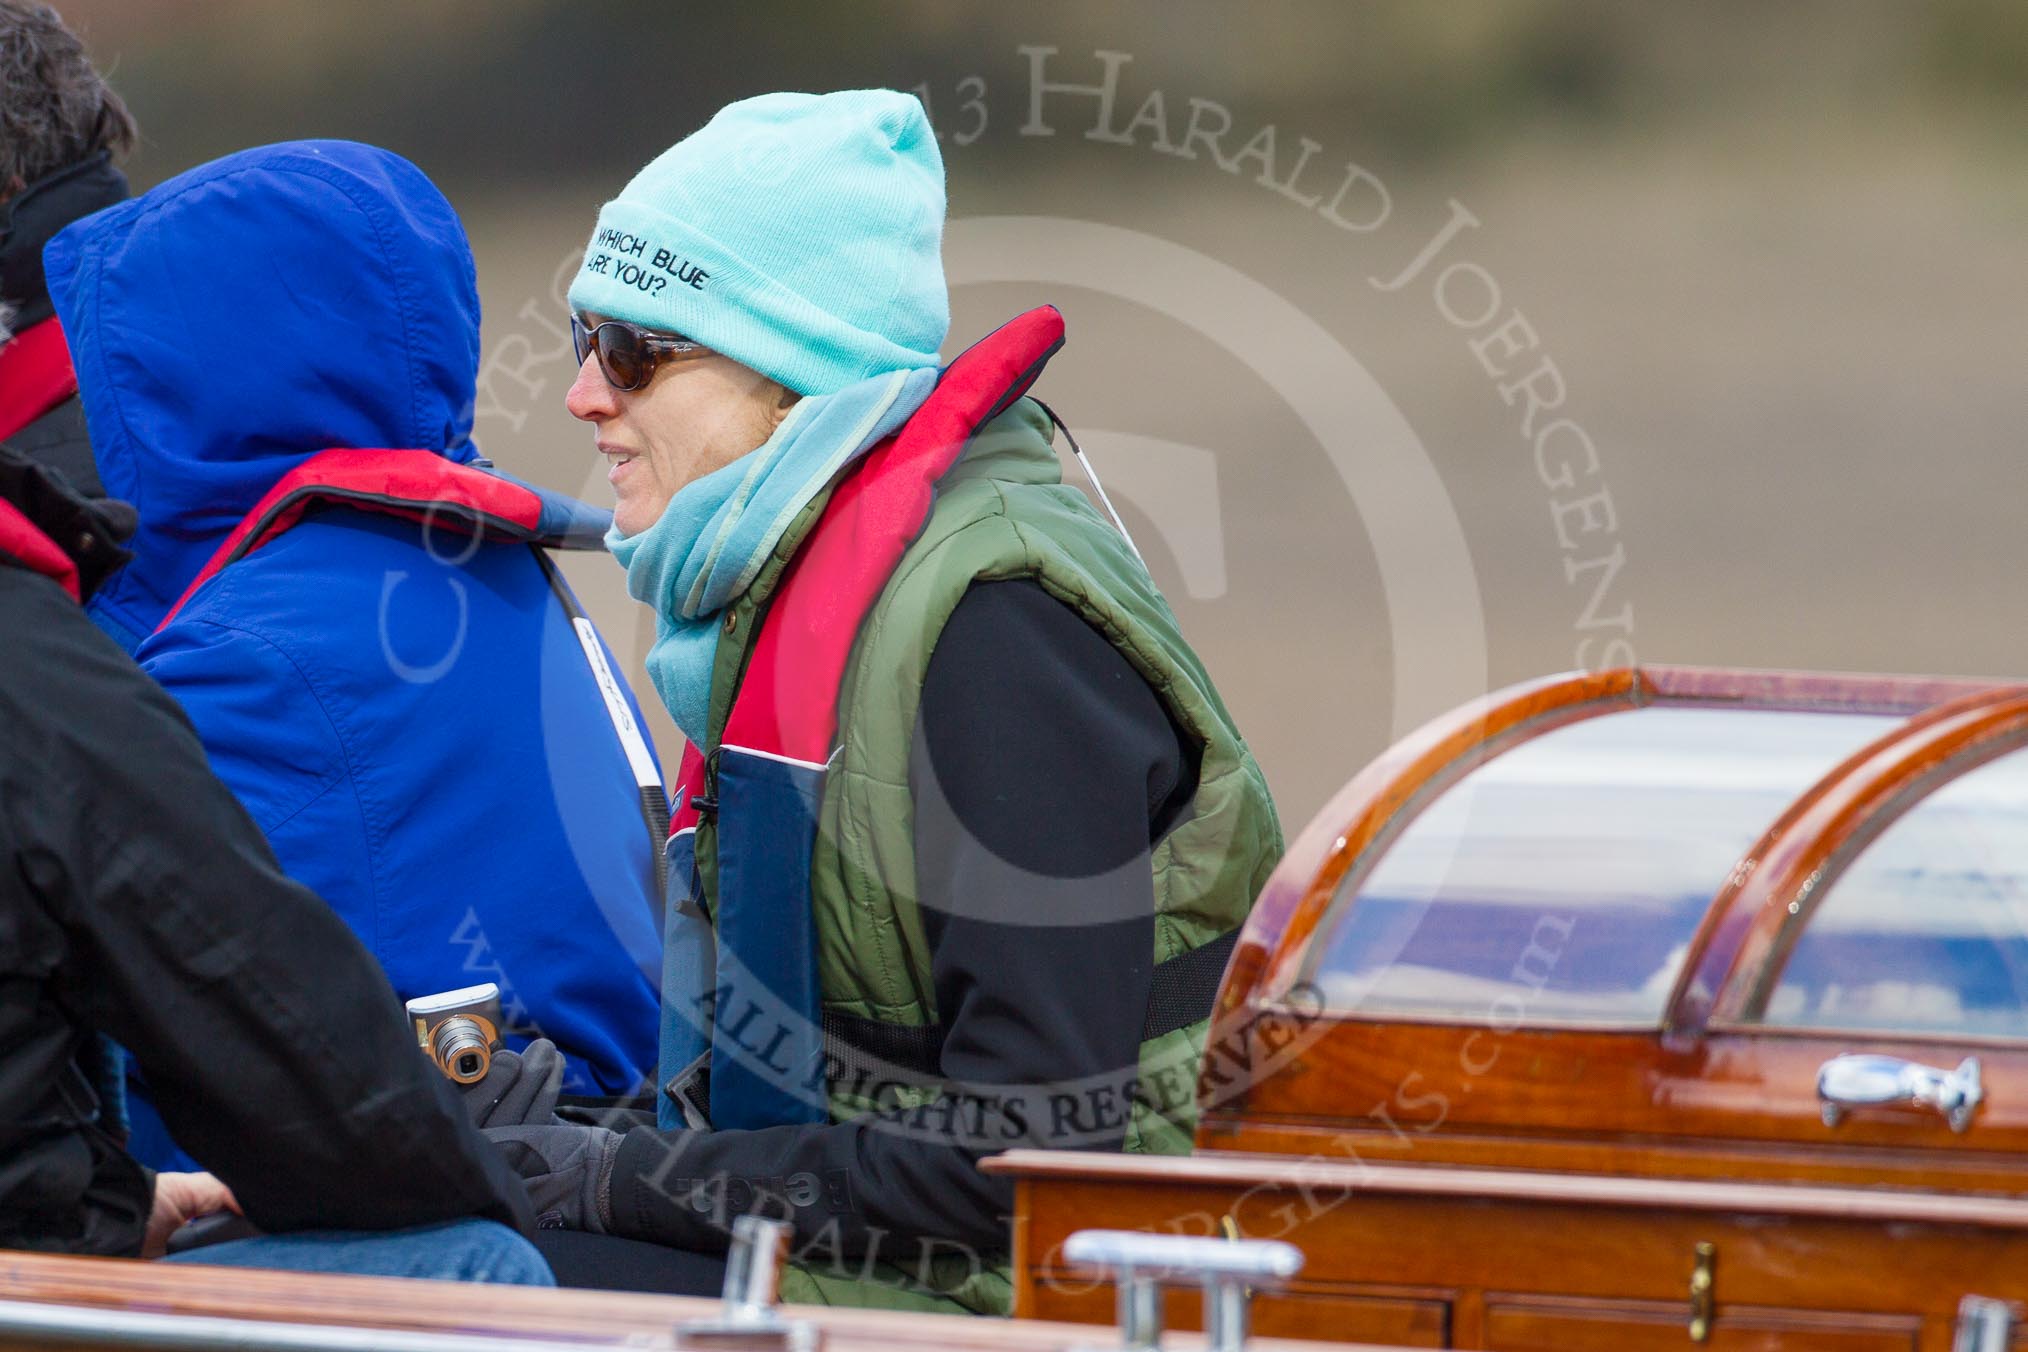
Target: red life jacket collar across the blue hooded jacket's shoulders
407, 483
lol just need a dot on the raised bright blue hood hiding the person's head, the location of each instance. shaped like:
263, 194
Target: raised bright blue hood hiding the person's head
244, 317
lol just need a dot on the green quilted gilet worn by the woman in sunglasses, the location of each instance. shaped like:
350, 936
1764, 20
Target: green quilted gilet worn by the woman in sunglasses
1003, 512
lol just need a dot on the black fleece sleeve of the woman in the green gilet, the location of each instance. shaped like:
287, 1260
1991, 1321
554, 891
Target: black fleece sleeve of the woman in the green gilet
1043, 769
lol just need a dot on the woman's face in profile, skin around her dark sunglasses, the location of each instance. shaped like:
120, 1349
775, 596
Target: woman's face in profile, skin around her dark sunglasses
693, 417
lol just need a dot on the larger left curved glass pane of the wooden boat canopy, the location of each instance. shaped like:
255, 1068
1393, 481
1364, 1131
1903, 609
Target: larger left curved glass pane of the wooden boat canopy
1563, 881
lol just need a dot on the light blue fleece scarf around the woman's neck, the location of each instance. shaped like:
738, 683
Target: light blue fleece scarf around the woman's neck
713, 538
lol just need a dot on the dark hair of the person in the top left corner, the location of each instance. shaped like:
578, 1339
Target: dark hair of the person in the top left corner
56, 108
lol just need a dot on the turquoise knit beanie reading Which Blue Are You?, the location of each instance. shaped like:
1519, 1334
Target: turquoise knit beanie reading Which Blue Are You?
798, 234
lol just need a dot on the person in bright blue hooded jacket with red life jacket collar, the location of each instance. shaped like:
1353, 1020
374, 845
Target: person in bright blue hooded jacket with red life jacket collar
277, 356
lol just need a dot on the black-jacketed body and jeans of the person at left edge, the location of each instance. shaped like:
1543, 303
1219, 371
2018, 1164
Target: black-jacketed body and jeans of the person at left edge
139, 903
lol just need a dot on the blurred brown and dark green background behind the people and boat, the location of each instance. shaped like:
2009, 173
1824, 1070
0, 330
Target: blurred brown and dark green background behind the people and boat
1773, 256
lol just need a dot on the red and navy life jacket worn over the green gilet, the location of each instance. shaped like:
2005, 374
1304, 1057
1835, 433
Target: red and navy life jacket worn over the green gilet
768, 773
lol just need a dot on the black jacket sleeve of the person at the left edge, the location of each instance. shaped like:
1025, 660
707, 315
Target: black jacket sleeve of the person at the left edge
277, 1047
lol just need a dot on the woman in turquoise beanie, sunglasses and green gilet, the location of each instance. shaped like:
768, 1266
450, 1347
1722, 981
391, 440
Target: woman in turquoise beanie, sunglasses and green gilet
964, 830
